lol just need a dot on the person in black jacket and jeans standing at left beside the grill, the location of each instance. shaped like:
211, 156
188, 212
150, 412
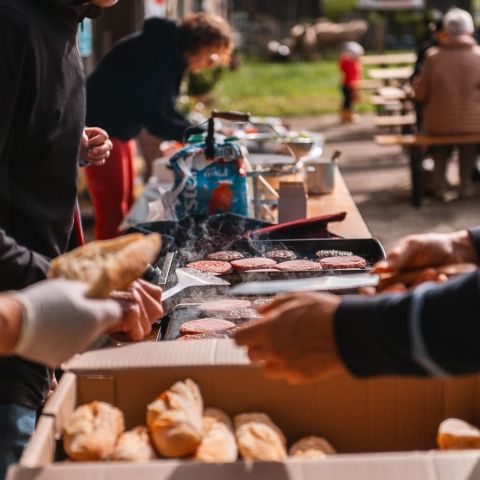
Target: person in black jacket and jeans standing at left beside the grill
42, 105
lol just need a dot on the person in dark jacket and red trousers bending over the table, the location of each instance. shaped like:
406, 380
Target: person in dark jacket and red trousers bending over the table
135, 87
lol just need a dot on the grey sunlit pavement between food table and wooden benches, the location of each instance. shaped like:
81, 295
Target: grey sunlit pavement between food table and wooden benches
379, 181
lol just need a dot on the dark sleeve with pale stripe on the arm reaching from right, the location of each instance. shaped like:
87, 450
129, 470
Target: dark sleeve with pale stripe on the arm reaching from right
376, 335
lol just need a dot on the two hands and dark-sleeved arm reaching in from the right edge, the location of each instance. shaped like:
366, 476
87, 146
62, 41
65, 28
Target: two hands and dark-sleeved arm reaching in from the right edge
432, 330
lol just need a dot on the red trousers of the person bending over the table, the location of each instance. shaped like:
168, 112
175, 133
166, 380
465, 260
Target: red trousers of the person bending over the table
111, 188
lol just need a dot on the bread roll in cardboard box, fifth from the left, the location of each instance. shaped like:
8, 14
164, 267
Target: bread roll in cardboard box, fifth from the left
258, 438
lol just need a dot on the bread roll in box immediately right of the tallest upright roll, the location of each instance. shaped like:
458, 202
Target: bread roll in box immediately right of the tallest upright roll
218, 442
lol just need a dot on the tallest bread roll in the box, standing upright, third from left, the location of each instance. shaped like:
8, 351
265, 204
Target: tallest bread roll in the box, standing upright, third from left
175, 420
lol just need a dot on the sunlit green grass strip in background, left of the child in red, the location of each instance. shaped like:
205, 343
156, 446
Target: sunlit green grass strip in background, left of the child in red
281, 89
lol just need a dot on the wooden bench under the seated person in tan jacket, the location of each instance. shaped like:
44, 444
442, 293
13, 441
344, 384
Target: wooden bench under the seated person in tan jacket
415, 145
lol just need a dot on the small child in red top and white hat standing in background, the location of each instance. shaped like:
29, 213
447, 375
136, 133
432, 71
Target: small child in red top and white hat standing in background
351, 70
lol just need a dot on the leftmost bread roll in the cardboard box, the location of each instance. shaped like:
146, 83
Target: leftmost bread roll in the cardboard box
92, 431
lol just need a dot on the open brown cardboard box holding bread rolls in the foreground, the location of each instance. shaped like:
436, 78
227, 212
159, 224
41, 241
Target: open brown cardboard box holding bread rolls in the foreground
383, 428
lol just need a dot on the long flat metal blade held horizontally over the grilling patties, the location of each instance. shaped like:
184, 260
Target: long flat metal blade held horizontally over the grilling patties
315, 284
